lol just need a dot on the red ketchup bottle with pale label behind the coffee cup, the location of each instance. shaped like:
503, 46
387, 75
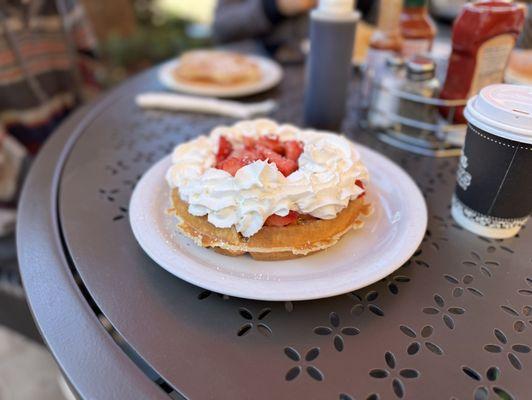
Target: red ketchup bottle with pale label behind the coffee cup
484, 34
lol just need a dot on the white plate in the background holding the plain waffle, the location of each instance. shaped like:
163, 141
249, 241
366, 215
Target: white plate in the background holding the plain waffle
272, 74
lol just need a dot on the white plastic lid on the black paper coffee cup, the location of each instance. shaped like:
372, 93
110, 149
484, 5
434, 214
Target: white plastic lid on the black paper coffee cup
503, 110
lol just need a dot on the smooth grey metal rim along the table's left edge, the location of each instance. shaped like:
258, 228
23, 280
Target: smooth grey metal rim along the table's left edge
83, 349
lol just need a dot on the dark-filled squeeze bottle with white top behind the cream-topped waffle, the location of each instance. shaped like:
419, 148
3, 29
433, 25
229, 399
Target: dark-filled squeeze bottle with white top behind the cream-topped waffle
332, 35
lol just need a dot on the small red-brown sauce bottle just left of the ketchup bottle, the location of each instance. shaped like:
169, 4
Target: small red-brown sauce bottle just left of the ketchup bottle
417, 28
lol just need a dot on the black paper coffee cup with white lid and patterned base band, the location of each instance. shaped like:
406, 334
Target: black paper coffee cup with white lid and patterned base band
493, 194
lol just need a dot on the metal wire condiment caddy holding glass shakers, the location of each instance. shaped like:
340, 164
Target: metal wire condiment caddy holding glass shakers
405, 112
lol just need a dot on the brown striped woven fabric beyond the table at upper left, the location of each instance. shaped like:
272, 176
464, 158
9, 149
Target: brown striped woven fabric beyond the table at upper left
47, 67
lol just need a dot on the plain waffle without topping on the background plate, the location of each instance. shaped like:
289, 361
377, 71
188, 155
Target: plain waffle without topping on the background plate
220, 68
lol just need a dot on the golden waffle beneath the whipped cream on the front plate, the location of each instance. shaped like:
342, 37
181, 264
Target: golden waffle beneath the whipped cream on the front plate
271, 243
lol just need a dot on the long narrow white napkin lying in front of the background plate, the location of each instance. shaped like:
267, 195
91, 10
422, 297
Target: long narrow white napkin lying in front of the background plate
207, 105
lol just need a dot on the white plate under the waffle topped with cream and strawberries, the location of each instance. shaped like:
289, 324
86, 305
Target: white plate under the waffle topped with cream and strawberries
387, 240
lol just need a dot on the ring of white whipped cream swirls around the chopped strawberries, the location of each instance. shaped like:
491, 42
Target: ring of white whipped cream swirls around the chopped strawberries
322, 186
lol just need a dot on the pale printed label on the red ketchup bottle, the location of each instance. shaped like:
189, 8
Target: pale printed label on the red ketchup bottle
492, 58
